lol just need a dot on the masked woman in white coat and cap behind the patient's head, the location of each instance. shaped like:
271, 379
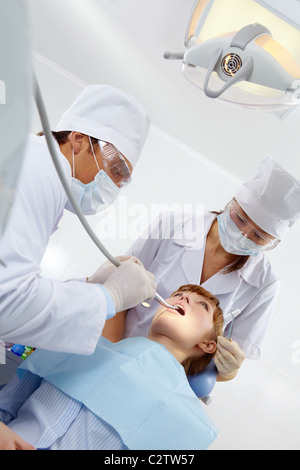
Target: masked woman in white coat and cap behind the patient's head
231, 263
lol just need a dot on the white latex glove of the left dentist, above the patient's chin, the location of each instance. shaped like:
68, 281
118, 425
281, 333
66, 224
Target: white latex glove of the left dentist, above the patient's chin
130, 284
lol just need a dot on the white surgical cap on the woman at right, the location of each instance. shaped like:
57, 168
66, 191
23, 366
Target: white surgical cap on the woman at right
271, 198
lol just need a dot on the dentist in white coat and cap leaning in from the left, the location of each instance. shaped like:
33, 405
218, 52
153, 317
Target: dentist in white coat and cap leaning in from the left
99, 141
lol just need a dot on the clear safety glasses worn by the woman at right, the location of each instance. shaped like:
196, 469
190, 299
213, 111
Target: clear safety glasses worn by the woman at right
247, 229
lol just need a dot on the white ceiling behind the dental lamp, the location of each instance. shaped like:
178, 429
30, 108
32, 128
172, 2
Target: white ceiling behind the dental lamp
122, 42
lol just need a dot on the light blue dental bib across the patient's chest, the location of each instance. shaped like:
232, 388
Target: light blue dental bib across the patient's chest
137, 387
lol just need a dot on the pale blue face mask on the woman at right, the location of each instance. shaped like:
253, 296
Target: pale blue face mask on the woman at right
232, 239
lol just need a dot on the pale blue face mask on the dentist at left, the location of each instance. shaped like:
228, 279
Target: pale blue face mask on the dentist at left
95, 196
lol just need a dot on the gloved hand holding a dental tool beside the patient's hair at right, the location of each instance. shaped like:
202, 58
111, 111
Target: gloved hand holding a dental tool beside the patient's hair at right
228, 359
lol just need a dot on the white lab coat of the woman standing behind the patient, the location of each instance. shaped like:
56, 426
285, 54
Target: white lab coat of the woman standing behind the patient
176, 262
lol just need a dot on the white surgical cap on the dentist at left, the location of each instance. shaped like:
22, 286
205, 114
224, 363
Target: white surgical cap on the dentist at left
109, 114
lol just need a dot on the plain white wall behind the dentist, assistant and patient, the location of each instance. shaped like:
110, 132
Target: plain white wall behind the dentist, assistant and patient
261, 408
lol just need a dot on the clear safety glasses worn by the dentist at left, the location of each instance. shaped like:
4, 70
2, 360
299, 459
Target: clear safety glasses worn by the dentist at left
115, 165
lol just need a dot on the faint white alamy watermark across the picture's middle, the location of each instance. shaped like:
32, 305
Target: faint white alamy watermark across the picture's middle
125, 221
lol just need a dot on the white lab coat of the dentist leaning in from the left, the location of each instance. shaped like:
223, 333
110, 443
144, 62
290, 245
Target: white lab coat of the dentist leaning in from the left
35, 311
